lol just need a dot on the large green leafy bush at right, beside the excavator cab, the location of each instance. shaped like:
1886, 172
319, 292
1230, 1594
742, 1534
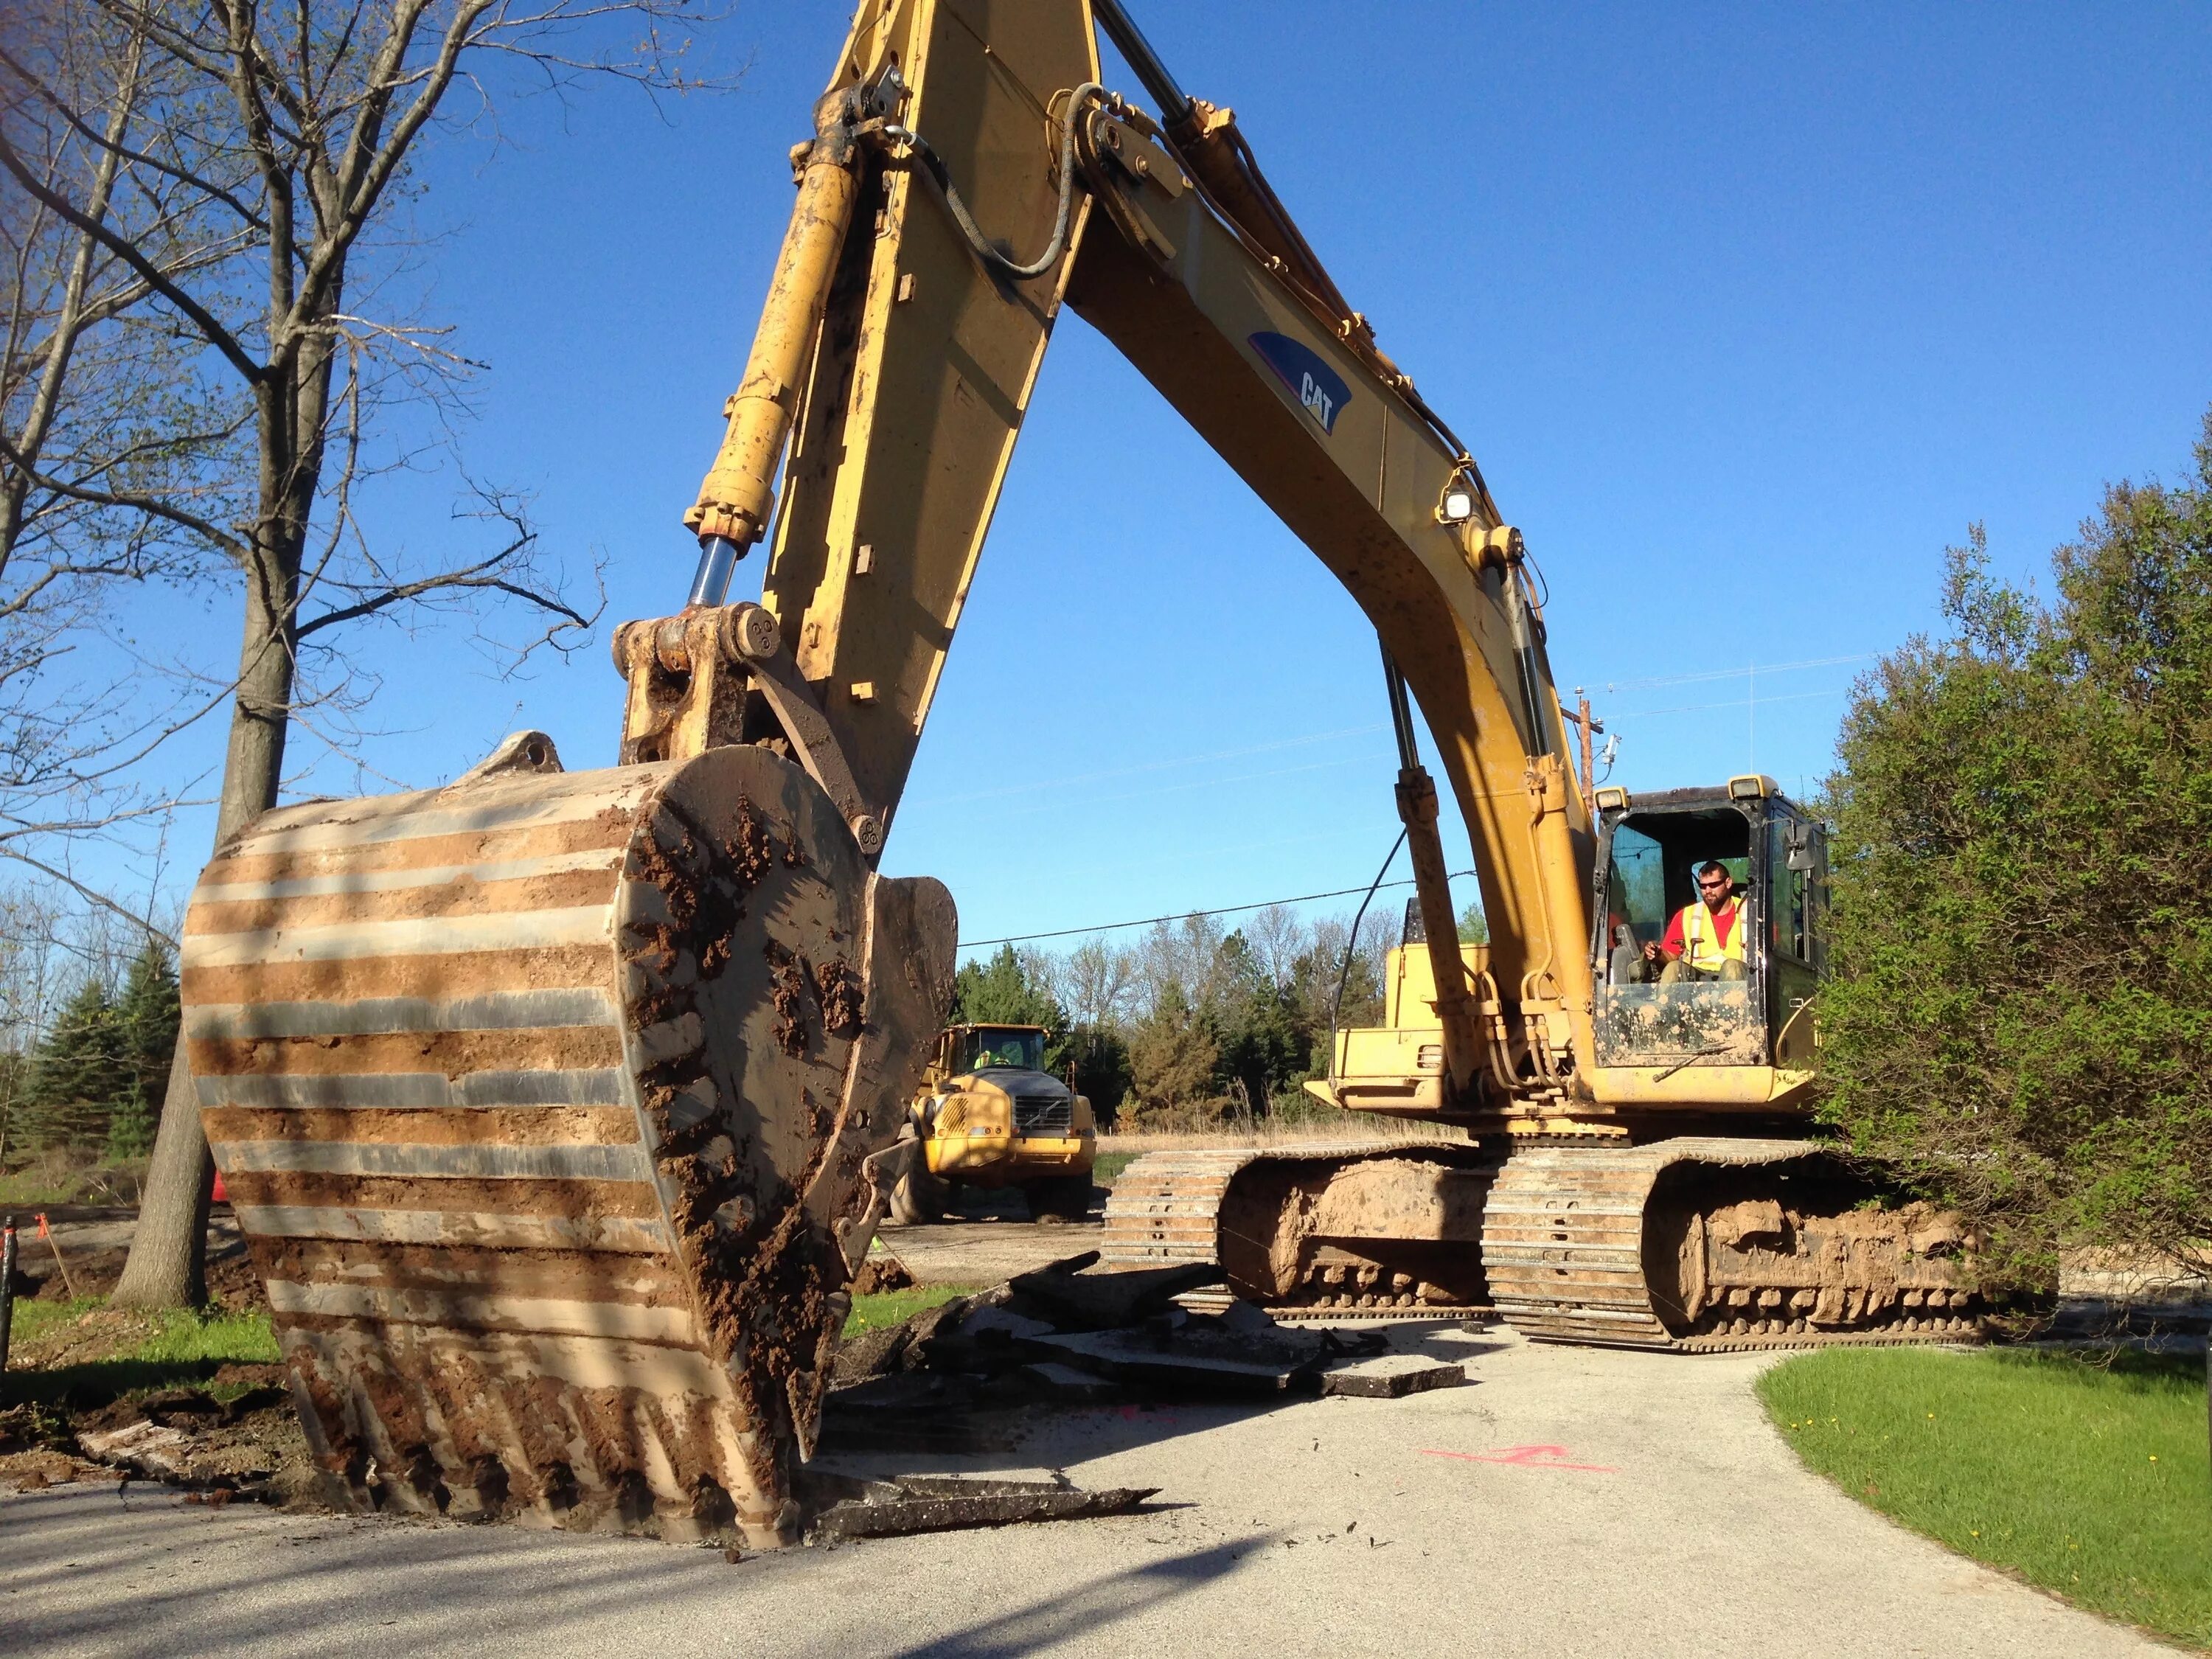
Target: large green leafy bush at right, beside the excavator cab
2023, 919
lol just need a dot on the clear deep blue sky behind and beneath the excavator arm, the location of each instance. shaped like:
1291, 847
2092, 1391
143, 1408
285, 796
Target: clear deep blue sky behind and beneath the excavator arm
1746, 311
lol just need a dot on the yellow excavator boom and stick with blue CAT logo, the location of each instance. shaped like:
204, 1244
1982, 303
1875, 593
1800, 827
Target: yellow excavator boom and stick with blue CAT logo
968, 180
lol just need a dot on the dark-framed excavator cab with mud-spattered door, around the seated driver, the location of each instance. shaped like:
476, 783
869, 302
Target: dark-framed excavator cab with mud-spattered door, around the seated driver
1651, 851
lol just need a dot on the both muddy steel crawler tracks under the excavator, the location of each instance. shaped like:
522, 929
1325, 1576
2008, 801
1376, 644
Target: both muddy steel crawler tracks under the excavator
1695, 1244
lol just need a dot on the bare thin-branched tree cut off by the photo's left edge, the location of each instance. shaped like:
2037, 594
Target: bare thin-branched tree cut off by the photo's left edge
101, 393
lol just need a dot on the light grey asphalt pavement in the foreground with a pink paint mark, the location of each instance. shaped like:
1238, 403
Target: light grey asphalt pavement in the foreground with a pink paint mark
1567, 1503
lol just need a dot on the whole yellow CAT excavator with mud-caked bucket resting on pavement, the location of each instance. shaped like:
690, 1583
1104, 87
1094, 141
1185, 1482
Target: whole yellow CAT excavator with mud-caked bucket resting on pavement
561, 1107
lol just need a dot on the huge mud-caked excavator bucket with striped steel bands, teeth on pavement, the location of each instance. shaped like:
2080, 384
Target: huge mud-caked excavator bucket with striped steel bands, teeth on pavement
552, 1109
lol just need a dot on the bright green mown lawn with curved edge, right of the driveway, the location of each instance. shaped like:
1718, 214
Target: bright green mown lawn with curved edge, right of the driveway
2078, 1477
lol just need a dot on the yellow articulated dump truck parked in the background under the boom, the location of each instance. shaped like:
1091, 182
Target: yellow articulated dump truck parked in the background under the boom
990, 1116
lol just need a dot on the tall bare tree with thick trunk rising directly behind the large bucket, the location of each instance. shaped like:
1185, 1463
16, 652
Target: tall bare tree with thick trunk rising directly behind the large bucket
286, 138
